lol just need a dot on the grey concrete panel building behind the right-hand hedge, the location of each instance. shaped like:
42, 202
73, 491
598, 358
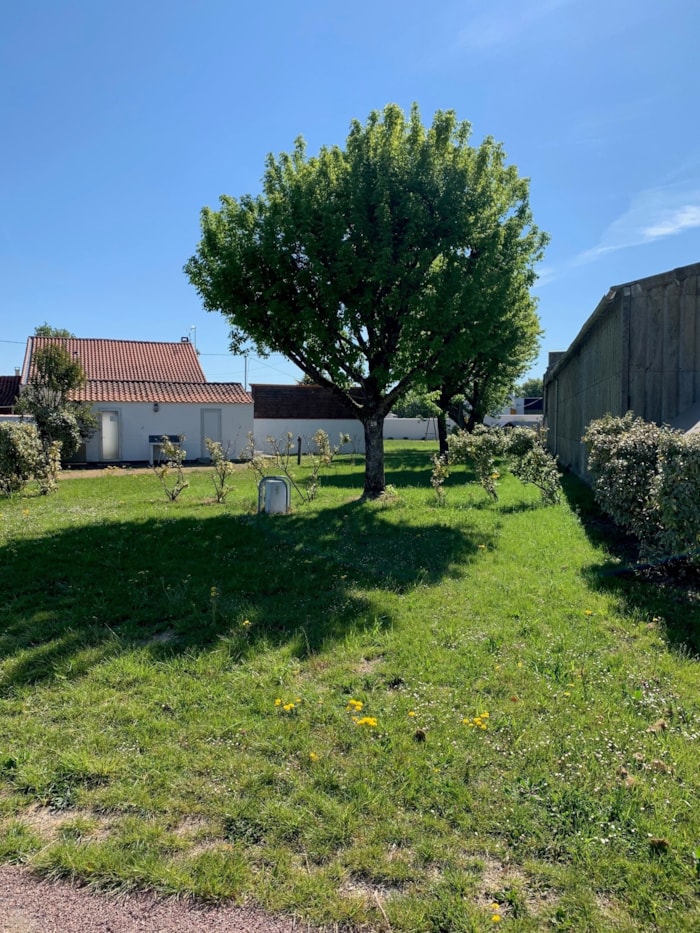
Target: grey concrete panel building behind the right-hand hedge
639, 351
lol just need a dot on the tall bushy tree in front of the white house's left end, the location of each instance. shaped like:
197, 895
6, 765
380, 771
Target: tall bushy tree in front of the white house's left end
54, 376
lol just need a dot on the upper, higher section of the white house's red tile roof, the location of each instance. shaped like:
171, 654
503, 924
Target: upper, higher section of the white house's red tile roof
130, 360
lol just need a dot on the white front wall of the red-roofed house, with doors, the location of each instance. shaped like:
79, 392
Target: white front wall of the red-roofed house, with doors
125, 428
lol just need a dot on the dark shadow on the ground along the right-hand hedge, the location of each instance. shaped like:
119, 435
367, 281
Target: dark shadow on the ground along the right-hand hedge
668, 591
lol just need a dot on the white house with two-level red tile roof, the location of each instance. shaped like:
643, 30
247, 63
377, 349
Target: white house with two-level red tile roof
143, 390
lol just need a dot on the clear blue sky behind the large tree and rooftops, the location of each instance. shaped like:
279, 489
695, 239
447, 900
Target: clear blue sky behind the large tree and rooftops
120, 121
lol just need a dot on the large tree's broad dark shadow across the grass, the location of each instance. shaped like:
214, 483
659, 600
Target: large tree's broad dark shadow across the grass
179, 584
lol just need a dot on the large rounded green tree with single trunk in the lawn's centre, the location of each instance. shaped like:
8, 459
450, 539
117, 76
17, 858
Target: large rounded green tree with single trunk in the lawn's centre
354, 263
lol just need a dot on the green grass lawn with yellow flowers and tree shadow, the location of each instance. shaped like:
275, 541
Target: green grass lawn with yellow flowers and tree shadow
388, 715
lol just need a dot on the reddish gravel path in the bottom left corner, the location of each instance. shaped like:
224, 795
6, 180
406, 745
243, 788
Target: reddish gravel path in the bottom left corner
29, 904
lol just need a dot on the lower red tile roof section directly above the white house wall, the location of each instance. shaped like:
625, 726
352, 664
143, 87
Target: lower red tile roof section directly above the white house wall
200, 393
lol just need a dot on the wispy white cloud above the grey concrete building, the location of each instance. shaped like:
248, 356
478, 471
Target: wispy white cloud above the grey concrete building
652, 214
